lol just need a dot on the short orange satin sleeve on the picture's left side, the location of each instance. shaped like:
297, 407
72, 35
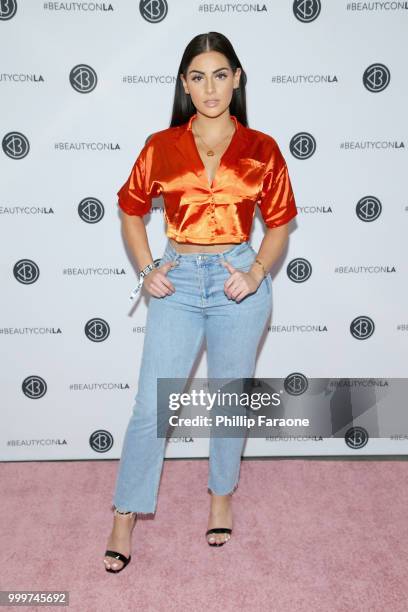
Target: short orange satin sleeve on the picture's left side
134, 197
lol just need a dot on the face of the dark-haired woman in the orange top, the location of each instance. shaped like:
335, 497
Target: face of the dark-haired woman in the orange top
210, 83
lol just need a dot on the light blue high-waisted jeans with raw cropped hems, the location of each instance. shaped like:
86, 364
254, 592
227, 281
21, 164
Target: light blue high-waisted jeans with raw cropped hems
176, 326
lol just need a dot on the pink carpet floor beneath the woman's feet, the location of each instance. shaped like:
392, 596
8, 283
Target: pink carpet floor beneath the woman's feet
309, 535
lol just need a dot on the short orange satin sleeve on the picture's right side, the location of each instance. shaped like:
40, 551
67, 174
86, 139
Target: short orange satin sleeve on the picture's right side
277, 201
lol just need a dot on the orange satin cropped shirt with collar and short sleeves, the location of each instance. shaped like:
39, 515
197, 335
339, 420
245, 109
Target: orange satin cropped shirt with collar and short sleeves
251, 171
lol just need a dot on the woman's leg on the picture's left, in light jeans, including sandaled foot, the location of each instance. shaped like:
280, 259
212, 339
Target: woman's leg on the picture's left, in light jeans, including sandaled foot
174, 333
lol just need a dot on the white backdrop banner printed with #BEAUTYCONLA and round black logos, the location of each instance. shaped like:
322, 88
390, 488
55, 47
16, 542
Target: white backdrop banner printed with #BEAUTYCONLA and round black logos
82, 85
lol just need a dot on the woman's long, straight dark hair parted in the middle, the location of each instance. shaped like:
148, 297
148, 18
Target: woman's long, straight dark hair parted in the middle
183, 107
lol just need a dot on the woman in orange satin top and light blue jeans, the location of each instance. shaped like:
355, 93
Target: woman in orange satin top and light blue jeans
211, 170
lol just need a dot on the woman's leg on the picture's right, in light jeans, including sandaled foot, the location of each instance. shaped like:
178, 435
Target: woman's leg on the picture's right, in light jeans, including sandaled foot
233, 333
